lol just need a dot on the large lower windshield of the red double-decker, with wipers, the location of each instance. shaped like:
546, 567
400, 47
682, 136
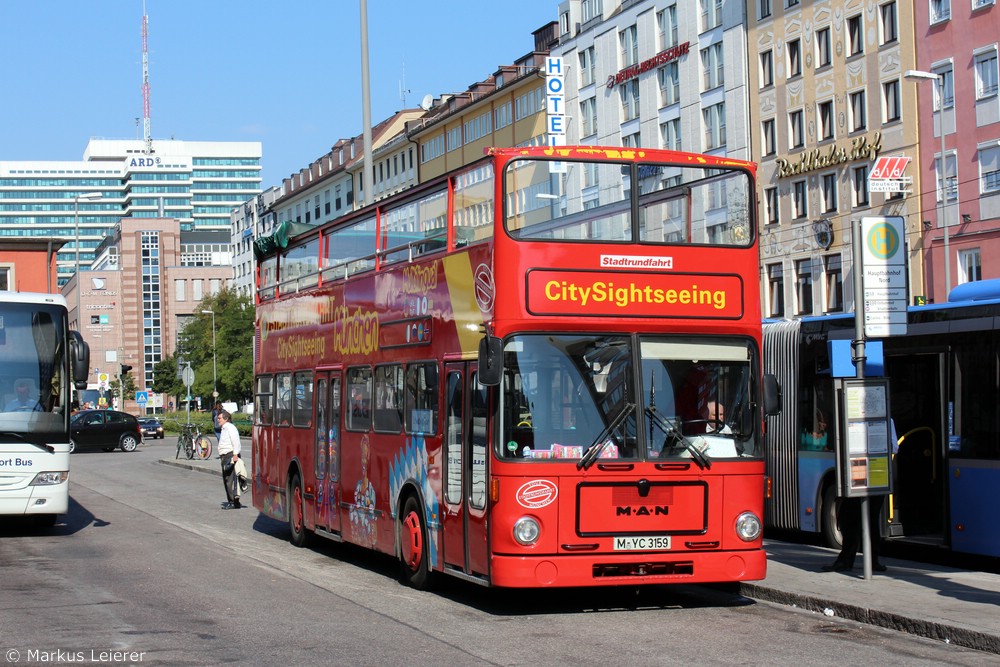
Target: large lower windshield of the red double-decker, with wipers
579, 397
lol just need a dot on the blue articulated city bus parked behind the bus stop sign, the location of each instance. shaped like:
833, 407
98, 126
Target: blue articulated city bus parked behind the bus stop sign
945, 404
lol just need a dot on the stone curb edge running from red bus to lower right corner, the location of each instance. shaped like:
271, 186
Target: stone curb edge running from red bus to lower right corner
949, 634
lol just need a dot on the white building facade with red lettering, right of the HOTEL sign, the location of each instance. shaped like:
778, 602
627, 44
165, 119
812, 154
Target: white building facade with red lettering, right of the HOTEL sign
663, 74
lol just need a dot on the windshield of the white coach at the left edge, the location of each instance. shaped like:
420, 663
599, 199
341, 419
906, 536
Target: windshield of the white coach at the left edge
34, 389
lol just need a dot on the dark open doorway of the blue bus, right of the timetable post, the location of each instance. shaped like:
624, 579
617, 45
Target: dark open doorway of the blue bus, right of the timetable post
918, 390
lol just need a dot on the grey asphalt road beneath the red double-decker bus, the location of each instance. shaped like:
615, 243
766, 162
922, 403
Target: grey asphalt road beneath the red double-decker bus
147, 565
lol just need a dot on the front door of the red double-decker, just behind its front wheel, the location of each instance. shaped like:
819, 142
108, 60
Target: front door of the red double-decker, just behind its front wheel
466, 544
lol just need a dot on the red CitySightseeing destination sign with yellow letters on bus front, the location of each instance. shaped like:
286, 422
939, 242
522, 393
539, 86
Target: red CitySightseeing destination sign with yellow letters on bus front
579, 293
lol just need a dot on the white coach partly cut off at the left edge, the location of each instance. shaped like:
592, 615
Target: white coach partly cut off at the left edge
37, 354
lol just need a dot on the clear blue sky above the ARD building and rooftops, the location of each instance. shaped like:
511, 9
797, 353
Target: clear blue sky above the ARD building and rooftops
285, 73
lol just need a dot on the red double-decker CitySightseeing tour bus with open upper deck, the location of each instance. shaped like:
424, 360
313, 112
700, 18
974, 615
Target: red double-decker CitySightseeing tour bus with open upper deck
542, 369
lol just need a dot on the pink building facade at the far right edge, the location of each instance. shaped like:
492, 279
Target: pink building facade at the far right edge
958, 44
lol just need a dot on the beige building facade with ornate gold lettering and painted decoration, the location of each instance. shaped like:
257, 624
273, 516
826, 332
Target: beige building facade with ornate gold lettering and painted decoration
829, 98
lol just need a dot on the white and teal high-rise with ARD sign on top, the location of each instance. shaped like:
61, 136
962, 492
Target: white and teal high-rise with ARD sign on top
196, 182
